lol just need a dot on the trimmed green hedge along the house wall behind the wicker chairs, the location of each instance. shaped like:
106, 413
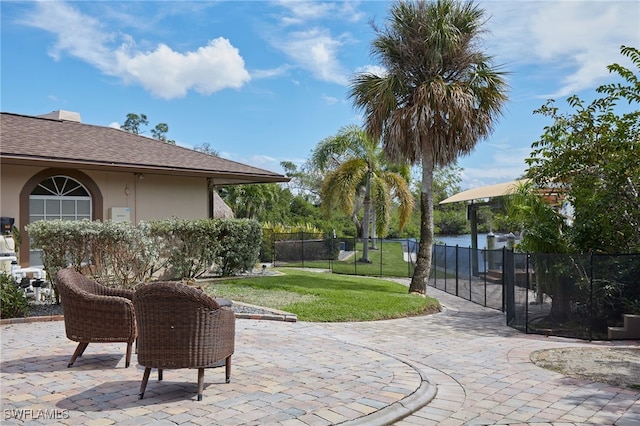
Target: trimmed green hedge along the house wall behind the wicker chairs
122, 254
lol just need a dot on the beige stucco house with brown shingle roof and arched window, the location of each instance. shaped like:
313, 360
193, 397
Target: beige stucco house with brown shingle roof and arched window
54, 166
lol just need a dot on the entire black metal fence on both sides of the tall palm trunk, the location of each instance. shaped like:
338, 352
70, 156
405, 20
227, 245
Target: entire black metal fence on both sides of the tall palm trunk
577, 296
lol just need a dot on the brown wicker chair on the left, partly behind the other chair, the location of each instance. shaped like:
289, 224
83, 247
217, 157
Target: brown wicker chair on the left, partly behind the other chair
94, 313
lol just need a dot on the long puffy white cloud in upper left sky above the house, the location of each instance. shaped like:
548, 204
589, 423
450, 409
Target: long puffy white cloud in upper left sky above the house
163, 71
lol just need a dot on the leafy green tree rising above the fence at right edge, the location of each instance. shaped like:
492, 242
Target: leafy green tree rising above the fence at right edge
590, 158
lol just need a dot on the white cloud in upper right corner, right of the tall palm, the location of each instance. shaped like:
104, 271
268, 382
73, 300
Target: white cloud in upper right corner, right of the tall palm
574, 40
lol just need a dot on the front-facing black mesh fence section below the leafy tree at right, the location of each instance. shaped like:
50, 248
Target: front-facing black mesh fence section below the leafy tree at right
577, 296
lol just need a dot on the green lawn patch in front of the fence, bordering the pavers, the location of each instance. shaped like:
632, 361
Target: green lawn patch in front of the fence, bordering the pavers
325, 297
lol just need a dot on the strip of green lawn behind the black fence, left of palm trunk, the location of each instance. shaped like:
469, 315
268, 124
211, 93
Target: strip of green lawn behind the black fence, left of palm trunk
387, 260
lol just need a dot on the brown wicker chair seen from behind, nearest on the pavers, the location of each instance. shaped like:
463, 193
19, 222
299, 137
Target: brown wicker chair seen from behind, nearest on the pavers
182, 327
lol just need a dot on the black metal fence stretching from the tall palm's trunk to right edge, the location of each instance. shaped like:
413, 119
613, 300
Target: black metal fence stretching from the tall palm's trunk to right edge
567, 295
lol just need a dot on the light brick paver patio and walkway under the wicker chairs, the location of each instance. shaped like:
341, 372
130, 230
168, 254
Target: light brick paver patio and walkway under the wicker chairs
462, 366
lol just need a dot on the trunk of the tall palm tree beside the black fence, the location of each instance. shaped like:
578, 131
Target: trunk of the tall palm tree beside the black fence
423, 261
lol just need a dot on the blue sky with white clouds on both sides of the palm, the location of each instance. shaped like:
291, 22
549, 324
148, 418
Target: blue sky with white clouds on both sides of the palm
264, 81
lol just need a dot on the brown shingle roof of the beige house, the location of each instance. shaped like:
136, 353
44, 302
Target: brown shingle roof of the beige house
57, 143
